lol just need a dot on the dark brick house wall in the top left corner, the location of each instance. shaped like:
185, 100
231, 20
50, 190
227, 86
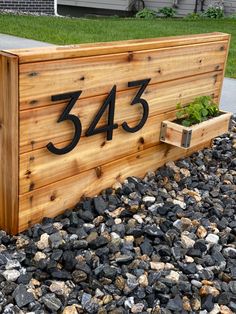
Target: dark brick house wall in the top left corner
32, 6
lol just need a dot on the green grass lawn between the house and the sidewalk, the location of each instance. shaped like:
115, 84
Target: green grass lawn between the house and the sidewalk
71, 31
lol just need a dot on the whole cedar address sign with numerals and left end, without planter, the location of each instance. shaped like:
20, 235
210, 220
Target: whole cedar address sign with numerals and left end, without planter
75, 119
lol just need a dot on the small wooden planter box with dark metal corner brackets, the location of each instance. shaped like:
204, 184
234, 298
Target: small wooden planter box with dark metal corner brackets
187, 137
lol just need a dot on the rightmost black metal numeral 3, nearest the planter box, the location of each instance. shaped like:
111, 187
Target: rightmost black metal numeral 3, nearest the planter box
138, 100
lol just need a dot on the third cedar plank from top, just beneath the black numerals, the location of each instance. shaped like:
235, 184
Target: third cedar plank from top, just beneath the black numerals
40, 167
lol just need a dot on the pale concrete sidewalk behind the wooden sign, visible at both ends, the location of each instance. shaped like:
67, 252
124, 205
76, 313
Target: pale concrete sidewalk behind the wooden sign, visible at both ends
228, 97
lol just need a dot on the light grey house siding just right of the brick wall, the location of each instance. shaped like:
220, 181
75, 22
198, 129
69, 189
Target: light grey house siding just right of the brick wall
99, 4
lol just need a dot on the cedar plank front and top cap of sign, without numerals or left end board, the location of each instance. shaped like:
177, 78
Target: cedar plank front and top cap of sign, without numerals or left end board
180, 69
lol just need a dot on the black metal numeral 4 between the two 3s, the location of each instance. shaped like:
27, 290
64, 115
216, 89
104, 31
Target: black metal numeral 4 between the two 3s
110, 101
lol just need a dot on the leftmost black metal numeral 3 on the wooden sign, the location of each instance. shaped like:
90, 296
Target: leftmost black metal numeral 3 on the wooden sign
67, 116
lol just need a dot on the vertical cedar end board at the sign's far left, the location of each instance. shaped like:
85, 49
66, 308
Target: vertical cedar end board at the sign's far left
9, 139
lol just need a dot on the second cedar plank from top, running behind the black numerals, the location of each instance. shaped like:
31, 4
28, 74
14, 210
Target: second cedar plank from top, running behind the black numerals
39, 126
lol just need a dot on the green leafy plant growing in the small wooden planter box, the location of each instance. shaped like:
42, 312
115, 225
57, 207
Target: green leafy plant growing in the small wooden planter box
201, 109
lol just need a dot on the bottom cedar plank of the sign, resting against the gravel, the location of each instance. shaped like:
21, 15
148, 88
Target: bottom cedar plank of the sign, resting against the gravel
53, 199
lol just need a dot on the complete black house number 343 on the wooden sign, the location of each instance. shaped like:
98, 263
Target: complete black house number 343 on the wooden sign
108, 103
